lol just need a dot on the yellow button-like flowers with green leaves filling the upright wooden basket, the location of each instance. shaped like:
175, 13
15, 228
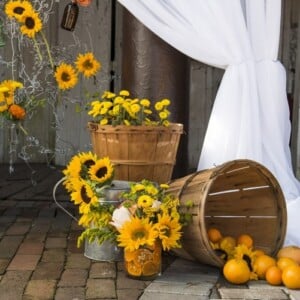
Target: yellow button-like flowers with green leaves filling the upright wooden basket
122, 109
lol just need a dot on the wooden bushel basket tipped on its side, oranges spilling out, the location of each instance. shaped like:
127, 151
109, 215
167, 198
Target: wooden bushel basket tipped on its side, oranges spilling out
239, 196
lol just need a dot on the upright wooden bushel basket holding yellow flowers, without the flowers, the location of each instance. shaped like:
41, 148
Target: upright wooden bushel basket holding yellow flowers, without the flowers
138, 152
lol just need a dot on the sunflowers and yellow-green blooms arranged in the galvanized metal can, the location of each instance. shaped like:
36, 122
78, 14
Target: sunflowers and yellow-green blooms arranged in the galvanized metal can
87, 179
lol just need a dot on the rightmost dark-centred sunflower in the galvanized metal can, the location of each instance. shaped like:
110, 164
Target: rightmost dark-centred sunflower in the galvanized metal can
101, 171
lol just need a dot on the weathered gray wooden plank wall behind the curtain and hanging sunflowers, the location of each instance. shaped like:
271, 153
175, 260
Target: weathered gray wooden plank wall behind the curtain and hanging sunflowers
94, 32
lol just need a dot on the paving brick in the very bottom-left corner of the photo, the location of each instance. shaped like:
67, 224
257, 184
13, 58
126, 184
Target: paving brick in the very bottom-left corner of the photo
13, 284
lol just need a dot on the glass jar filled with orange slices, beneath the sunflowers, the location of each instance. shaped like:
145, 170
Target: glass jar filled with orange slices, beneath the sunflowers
144, 263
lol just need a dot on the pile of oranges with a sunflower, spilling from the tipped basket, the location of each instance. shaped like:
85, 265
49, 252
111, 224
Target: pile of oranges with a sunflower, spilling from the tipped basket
243, 262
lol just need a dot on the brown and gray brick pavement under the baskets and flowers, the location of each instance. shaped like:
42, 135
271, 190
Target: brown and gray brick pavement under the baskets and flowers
39, 259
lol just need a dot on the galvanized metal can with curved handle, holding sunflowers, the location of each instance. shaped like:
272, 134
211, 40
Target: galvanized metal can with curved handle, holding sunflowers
106, 251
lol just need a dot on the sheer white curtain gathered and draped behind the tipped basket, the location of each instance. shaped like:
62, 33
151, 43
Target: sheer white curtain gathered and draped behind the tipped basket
250, 117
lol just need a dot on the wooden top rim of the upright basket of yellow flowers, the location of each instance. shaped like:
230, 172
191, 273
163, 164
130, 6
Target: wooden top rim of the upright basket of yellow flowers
174, 127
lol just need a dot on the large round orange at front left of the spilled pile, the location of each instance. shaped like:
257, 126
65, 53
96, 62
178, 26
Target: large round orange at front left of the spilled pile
236, 271
